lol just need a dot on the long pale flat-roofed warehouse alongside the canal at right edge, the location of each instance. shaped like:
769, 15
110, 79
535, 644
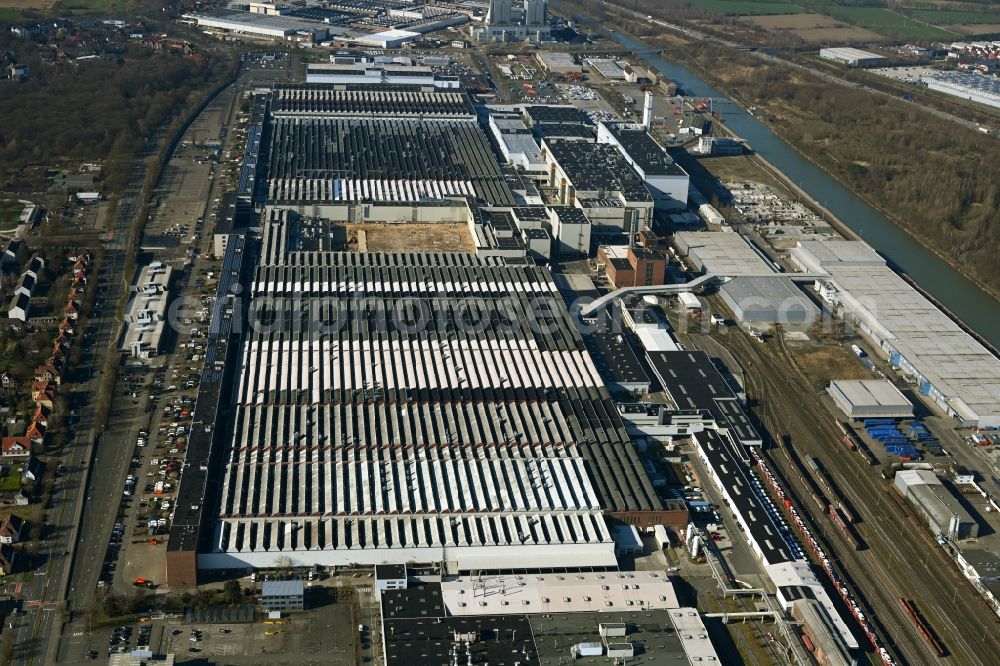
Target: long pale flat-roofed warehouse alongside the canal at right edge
947, 364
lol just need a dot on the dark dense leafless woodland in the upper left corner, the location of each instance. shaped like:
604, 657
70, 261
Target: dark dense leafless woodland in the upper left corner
98, 109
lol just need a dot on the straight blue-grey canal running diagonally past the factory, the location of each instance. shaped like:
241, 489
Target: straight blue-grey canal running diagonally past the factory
964, 298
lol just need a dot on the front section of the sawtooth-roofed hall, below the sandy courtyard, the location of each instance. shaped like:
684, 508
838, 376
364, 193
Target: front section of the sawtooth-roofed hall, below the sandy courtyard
386, 442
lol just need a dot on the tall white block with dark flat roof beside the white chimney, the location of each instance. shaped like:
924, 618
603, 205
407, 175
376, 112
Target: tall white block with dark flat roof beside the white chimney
666, 181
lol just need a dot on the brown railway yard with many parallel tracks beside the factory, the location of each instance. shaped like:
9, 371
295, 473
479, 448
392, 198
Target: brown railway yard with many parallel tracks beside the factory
901, 560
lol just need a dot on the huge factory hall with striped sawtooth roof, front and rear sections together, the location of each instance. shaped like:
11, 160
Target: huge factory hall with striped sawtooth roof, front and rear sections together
418, 406
